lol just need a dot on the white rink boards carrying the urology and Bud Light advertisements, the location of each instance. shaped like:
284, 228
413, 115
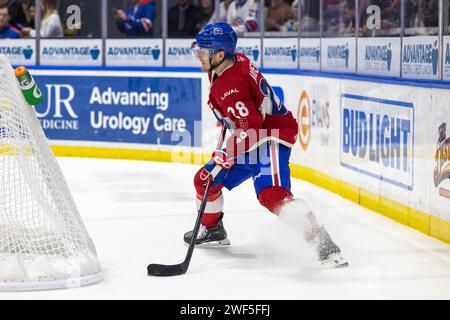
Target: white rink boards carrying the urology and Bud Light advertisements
383, 145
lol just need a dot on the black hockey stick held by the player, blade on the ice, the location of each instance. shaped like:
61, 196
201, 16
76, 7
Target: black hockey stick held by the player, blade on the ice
163, 270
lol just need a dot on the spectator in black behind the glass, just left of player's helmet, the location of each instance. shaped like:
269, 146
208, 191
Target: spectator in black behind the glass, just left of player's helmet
181, 24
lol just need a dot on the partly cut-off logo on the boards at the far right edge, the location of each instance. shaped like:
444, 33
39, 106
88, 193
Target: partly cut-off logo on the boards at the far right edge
441, 171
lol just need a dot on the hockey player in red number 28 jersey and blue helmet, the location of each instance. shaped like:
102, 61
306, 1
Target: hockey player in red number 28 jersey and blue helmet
263, 133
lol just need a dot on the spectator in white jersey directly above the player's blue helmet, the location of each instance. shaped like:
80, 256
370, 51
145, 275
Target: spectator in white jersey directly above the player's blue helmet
242, 15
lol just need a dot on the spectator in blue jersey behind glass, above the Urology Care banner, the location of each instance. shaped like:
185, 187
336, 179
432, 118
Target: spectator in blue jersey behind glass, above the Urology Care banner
137, 19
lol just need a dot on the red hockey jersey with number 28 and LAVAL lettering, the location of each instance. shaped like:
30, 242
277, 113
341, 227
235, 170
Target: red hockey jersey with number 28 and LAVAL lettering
242, 98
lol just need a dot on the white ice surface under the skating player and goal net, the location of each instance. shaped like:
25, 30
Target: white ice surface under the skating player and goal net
137, 212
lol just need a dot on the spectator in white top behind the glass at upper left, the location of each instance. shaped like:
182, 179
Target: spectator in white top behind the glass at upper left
51, 26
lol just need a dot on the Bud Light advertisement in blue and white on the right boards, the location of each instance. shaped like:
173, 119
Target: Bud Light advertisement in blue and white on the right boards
377, 138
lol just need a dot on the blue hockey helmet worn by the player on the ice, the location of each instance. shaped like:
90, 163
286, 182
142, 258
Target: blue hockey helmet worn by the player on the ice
217, 37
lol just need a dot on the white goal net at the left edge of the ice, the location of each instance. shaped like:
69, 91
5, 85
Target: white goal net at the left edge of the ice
44, 243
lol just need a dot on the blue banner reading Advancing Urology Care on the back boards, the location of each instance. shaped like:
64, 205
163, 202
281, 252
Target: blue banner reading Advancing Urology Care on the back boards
121, 109
